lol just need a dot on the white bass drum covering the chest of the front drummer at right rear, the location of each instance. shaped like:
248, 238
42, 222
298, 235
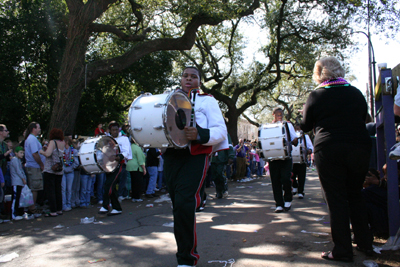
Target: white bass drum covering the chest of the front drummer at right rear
272, 141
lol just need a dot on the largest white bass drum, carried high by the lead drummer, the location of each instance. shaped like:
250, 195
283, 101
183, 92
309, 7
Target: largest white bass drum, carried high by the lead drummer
158, 120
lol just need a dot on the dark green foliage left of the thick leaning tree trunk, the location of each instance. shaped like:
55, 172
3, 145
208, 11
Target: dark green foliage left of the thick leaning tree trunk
31, 41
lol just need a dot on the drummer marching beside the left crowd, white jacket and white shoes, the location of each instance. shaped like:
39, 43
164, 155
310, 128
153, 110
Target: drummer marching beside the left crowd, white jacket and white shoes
114, 177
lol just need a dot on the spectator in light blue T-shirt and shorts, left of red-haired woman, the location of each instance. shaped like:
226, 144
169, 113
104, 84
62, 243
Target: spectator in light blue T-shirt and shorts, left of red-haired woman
34, 162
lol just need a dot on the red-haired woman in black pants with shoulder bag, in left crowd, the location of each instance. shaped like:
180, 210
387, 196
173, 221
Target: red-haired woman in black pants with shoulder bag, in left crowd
52, 178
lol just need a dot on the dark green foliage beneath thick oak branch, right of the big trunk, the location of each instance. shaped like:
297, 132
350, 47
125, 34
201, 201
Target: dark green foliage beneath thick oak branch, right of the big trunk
110, 97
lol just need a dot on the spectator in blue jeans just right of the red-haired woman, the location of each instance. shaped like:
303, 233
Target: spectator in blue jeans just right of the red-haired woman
70, 161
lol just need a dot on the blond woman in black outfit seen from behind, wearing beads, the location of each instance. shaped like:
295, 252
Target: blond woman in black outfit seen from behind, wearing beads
336, 111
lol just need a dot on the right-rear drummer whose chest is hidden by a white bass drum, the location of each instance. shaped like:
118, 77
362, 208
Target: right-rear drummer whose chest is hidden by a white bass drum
280, 170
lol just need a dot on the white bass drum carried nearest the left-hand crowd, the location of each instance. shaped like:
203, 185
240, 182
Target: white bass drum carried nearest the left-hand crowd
97, 155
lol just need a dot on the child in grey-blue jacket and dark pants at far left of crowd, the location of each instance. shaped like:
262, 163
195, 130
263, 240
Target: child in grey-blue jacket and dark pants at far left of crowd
18, 181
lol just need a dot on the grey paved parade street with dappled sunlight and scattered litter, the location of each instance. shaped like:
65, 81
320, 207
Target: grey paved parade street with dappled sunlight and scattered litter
241, 230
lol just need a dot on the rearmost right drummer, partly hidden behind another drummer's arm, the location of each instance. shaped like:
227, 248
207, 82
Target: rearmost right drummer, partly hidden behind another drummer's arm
300, 169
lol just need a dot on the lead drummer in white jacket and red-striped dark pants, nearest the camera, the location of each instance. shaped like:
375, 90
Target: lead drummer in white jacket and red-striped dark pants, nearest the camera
185, 169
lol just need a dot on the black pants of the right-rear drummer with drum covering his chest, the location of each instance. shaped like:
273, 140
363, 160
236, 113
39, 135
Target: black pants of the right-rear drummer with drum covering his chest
280, 171
